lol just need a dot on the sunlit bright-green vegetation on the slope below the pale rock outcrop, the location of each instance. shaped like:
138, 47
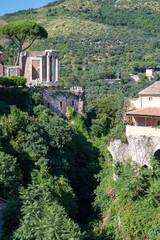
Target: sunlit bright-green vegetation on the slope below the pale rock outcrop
128, 207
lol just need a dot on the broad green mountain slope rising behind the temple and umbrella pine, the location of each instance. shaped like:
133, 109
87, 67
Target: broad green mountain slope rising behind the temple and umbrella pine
96, 39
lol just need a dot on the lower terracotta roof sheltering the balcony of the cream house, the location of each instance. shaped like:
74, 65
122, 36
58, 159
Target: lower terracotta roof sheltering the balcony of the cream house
153, 112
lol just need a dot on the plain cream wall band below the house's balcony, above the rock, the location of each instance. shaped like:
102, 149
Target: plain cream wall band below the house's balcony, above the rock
142, 131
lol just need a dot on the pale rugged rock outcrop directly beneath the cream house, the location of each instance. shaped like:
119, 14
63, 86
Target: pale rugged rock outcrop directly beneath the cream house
138, 149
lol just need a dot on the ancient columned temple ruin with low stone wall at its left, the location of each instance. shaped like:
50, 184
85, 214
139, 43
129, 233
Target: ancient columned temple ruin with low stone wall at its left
39, 67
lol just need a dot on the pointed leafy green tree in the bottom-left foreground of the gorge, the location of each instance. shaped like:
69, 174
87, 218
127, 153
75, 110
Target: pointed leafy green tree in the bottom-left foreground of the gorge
43, 217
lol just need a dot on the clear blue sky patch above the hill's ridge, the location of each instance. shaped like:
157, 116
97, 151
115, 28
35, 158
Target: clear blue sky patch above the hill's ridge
10, 6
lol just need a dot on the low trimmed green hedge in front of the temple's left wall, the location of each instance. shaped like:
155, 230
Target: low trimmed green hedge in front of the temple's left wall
12, 81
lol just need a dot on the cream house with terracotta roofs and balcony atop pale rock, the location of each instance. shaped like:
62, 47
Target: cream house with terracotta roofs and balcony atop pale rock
143, 119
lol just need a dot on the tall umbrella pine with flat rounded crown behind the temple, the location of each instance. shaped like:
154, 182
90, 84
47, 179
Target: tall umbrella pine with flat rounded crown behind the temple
20, 31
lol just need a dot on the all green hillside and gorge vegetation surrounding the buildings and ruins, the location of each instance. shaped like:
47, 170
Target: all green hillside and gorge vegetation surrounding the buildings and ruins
57, 174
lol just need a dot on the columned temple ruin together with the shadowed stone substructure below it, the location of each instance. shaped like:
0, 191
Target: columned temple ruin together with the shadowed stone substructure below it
41, 68
